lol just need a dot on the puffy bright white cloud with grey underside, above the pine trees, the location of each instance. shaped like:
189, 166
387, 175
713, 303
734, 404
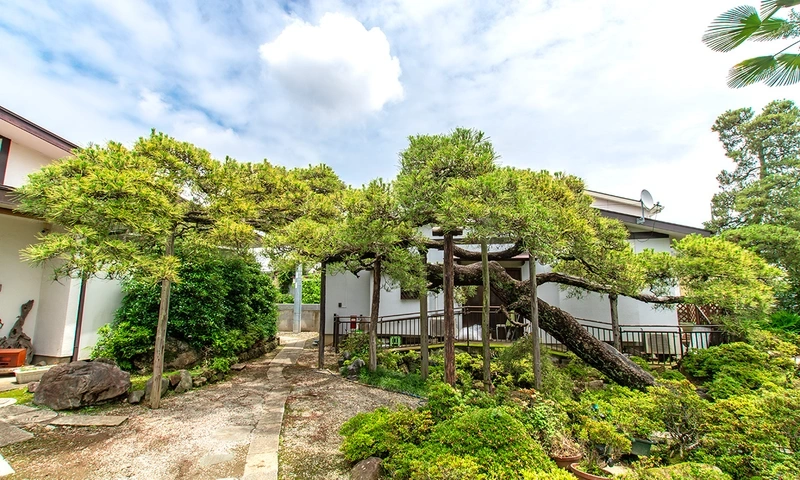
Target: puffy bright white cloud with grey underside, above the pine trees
337, 66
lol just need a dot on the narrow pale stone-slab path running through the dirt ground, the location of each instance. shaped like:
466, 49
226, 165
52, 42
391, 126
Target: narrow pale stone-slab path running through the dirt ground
262, 456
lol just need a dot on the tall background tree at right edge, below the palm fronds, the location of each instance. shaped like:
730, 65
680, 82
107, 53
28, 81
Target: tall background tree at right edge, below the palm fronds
759, 203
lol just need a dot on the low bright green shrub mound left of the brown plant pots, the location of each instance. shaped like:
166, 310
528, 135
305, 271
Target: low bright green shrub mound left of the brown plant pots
448, 439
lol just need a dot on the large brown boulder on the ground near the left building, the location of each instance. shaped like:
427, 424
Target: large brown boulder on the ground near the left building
78, 384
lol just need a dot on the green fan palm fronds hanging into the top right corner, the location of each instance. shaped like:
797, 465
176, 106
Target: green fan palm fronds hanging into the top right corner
737, 25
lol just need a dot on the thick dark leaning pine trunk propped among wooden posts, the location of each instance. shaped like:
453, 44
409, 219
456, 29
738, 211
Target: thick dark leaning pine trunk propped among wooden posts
558, 323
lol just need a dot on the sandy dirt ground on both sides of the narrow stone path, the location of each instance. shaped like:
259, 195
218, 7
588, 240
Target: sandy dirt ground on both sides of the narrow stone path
205, 433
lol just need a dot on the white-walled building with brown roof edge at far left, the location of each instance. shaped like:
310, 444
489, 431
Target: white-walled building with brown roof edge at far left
25, 148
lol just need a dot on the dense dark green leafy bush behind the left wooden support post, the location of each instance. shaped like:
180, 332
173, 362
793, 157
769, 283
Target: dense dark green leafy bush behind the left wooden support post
222, 306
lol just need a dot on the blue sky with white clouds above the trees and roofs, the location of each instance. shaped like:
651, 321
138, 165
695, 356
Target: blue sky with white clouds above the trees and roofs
619, 92
